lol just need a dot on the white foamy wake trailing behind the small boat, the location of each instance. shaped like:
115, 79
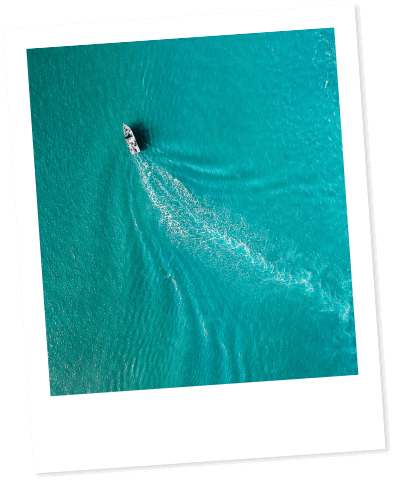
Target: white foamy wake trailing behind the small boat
225, 242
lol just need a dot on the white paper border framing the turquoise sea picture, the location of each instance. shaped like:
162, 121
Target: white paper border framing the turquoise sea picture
209, 423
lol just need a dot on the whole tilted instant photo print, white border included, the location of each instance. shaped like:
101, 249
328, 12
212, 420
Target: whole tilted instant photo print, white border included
193, 238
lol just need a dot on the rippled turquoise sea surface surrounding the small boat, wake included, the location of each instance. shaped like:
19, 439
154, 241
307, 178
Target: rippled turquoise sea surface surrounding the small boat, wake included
219, 253
